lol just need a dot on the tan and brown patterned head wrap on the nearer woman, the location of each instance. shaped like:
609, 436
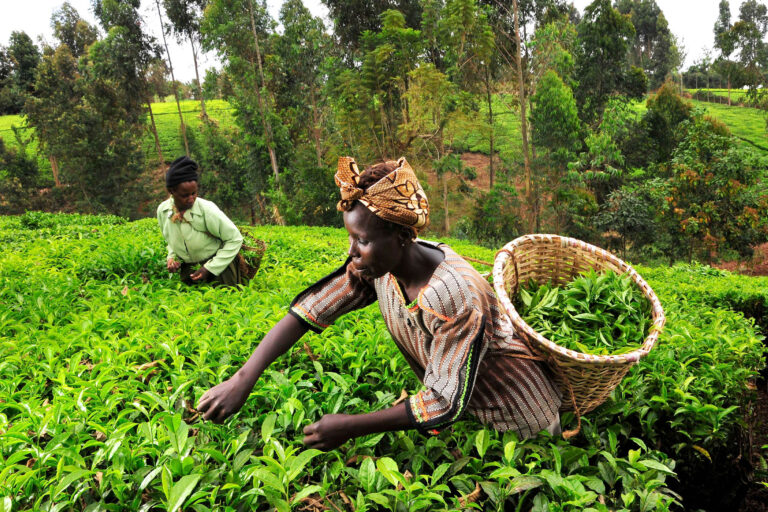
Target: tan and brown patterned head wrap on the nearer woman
397, 197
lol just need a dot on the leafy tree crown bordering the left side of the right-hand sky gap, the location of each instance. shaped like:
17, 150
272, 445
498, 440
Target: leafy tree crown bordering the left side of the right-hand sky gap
653, 49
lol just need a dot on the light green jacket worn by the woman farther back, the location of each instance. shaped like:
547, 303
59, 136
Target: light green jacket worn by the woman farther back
208, 236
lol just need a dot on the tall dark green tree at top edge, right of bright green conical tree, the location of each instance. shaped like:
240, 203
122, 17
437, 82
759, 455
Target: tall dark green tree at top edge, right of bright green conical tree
602, 67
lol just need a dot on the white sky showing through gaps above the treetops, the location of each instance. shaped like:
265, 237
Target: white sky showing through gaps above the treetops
690, 20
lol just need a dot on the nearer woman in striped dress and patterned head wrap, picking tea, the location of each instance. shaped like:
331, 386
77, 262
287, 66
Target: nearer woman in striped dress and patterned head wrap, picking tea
442, 314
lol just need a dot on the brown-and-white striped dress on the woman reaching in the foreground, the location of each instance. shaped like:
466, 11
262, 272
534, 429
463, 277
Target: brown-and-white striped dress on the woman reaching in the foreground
456, 338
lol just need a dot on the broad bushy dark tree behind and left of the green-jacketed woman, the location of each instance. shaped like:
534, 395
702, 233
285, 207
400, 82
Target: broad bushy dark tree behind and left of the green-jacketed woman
82, 117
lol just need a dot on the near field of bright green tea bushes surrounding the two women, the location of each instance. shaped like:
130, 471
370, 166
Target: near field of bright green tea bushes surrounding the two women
103, 356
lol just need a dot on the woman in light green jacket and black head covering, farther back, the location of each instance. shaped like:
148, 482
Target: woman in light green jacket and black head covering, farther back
203, 243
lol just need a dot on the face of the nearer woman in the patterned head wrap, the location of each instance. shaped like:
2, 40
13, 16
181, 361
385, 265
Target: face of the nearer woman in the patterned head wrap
374, 248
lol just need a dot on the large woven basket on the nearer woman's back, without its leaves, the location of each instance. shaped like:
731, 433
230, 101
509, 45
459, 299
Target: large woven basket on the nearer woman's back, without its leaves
588, 379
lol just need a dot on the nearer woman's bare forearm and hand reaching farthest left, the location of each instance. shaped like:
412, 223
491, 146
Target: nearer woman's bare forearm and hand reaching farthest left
225, 399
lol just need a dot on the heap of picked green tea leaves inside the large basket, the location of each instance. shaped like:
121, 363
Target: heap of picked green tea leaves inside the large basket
597, 313
